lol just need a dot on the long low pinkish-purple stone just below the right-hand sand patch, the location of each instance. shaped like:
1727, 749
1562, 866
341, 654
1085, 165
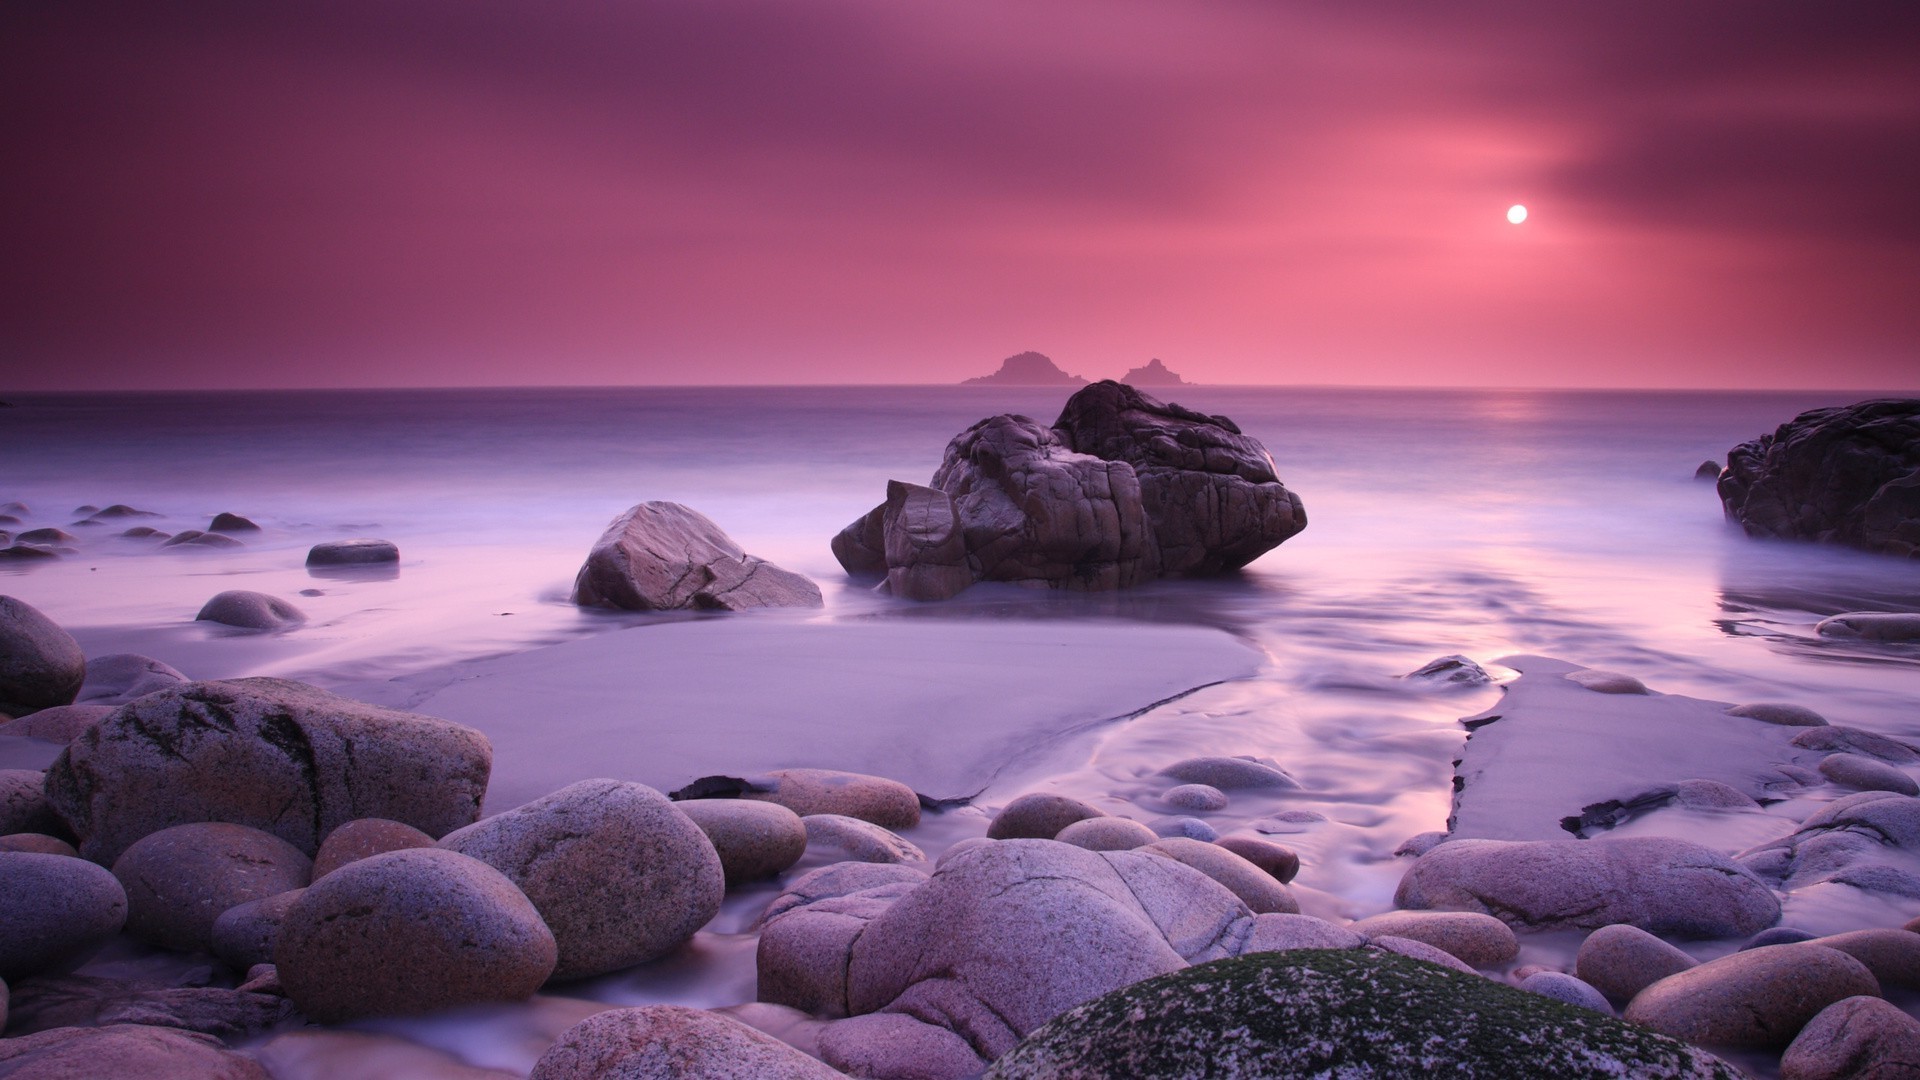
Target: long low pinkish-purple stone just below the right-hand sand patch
1656, 883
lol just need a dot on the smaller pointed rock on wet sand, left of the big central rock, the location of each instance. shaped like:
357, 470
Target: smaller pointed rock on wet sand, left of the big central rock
661, 556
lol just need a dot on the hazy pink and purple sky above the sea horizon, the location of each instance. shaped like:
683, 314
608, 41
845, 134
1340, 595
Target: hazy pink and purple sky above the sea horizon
502, 193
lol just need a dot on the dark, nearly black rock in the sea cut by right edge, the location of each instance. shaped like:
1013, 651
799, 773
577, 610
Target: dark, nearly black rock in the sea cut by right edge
1844, 476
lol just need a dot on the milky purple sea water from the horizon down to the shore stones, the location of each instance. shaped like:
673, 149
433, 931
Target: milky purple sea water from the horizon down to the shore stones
1481, 524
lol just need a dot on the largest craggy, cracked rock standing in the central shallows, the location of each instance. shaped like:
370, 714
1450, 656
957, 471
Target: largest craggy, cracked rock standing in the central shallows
1120, 491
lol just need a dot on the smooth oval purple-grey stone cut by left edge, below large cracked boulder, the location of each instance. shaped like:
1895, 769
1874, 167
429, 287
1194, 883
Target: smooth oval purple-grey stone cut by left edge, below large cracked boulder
55, 912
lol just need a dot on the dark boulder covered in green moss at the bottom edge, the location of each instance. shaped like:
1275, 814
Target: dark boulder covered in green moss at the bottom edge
1343, 1014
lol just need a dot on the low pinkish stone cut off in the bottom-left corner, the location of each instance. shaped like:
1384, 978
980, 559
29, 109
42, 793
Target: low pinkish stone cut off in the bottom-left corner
124, 1052
